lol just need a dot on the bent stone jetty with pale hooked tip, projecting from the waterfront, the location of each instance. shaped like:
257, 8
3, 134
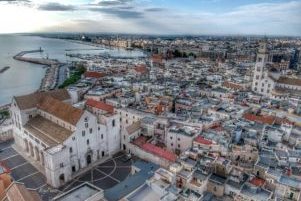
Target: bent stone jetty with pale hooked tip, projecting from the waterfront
50, 79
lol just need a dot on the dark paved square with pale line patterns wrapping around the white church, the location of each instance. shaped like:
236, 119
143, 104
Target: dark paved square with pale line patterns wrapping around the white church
104, 176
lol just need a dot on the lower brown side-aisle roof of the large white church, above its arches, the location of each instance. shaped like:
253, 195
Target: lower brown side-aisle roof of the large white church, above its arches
50, 133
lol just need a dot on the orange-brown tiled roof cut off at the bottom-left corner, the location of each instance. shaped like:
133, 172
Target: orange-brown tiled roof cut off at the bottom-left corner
18, 192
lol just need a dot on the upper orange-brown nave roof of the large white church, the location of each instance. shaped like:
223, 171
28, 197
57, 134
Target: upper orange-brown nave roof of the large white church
61, 110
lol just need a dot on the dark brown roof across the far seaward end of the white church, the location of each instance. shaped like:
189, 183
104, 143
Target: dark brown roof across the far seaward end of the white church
31, 100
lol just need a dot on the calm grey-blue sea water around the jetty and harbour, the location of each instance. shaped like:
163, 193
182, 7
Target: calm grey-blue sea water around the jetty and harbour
23, 78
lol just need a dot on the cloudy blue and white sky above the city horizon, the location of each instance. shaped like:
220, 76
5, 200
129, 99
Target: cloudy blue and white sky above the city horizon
251, 17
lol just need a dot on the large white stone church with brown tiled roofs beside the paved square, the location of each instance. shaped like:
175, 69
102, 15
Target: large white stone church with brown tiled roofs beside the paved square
60, 138
